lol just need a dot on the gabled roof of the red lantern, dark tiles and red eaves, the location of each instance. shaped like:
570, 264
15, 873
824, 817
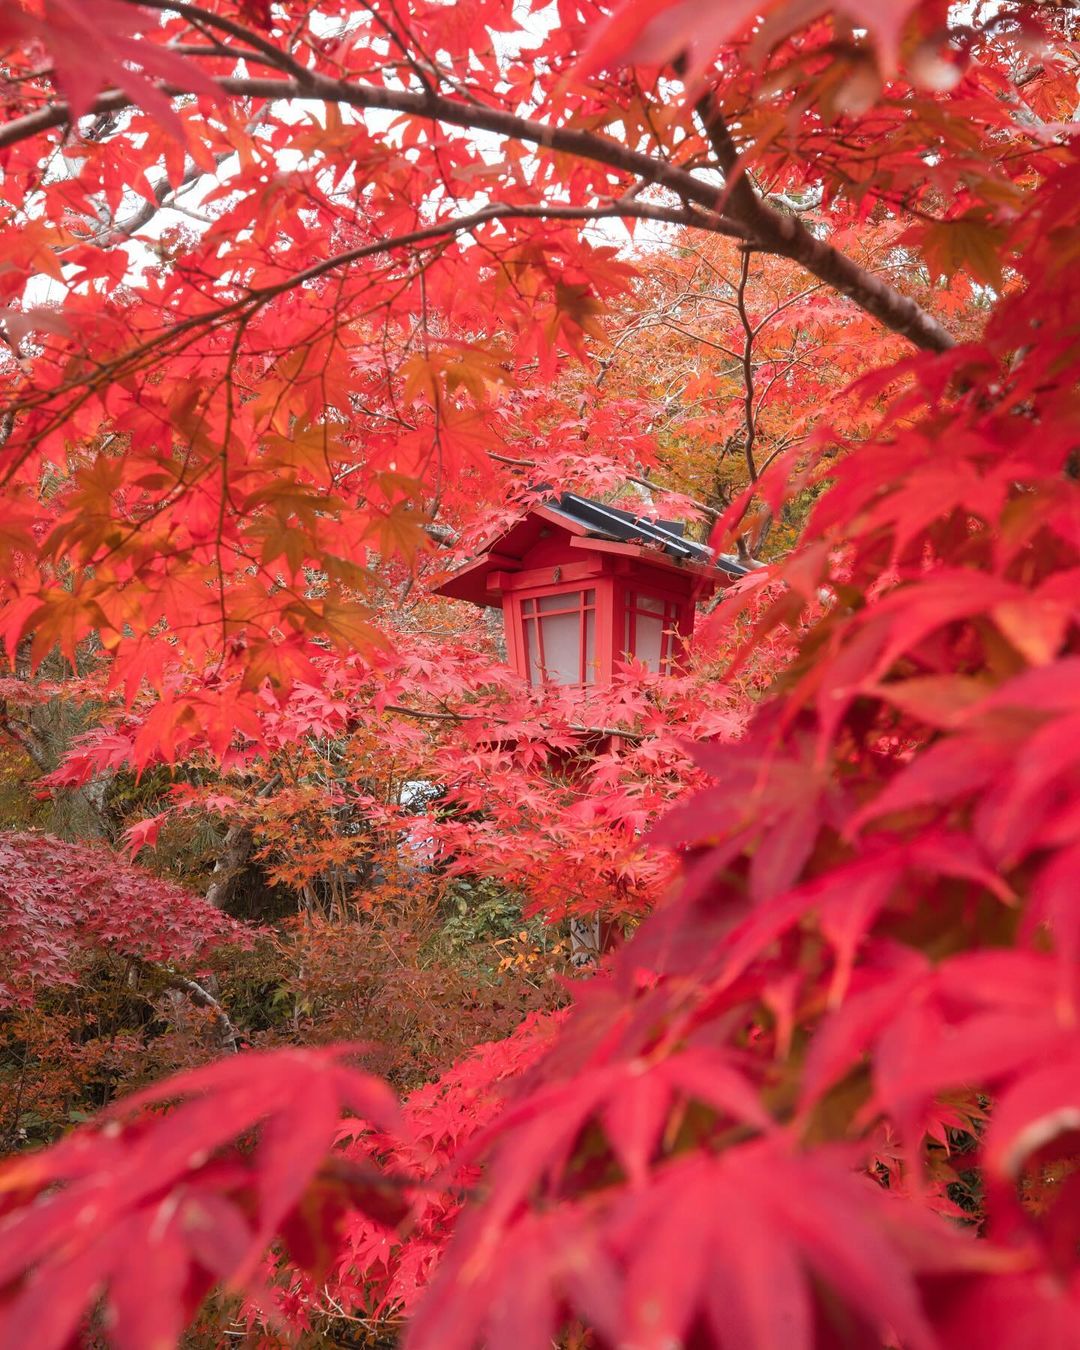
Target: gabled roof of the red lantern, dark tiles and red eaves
588, 524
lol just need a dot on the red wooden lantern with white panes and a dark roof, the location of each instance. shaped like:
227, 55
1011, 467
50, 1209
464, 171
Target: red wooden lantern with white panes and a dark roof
584, 587
